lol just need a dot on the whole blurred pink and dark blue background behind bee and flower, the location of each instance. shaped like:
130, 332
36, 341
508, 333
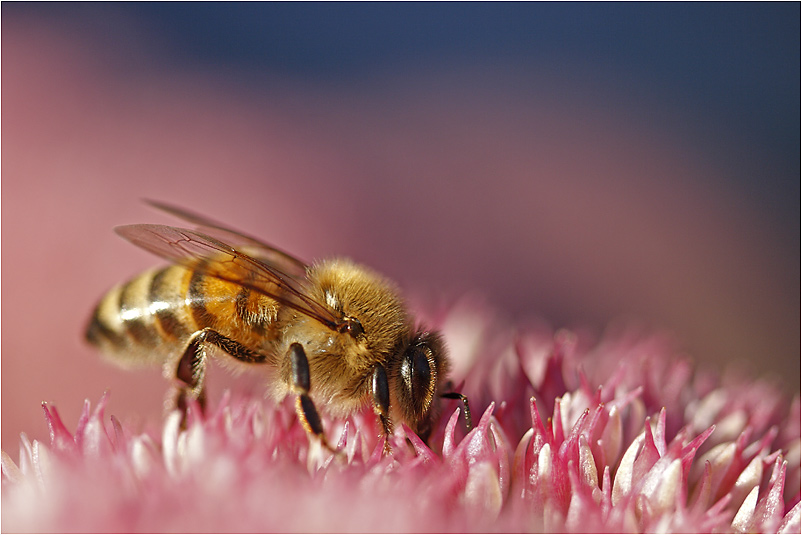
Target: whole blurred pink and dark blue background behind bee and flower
576, 163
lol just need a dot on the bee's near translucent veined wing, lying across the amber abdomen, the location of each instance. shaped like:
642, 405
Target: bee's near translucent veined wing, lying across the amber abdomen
217, 259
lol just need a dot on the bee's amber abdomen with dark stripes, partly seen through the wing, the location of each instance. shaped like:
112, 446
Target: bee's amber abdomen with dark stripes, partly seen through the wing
151, 317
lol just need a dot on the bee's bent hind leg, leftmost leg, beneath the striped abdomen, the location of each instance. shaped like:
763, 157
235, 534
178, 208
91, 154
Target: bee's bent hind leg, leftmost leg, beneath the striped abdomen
191, 369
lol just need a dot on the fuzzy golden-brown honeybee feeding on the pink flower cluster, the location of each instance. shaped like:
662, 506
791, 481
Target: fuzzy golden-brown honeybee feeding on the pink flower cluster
334, 334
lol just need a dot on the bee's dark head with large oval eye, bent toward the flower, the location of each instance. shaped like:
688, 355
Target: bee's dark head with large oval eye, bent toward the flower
421, 370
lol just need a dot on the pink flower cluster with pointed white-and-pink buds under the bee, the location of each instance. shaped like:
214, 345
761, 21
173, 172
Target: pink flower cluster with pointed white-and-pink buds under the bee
618, 435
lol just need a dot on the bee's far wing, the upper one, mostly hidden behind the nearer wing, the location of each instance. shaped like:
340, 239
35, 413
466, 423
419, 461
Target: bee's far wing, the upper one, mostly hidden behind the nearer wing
256, 248
